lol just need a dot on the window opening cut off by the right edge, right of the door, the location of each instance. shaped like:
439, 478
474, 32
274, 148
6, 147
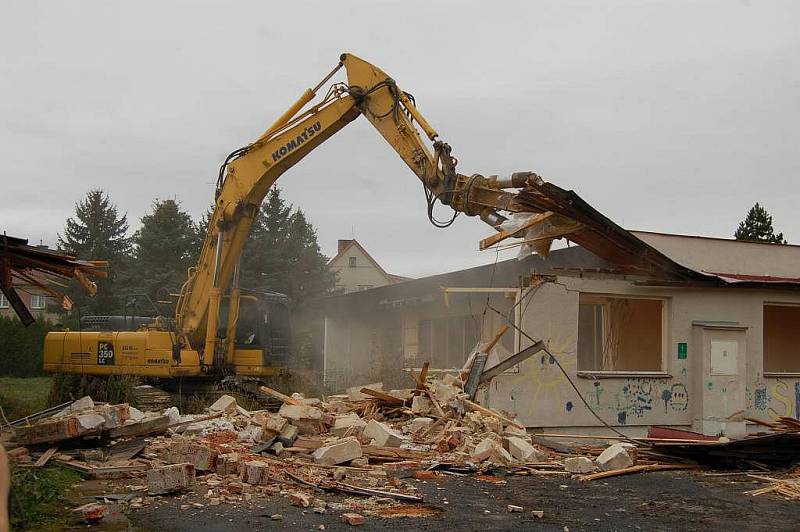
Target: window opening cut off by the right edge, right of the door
781, 339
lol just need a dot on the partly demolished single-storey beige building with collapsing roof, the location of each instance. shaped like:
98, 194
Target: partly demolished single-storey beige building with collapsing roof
653, 329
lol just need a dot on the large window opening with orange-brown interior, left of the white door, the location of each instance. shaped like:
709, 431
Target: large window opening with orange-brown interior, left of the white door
620, 334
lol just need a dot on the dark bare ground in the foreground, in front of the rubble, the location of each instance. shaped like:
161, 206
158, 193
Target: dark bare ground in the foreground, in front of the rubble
653, 501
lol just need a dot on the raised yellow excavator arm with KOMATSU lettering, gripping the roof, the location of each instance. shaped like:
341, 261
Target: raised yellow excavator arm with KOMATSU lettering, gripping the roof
248, 173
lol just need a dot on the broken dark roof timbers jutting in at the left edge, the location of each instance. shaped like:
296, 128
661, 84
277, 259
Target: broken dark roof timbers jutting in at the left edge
42, 268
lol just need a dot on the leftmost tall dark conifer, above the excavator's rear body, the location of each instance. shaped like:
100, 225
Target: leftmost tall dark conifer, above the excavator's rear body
98, 232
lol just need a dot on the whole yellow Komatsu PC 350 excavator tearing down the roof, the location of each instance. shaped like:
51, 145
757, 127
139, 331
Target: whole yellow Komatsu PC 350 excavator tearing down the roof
220, 329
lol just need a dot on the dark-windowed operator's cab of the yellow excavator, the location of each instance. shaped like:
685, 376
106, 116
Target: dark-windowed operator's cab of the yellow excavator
263, 332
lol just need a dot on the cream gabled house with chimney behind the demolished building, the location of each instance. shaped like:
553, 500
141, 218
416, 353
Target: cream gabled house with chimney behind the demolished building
356, 270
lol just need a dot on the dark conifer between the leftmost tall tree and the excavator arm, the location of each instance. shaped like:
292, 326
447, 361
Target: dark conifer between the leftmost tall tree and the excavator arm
166, 246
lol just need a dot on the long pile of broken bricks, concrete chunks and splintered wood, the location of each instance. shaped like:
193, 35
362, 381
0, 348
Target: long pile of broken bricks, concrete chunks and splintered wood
366, 448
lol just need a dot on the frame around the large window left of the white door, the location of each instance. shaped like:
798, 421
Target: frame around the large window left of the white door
665, 336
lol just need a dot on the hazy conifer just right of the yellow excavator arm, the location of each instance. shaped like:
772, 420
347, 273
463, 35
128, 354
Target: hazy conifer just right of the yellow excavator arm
282, 253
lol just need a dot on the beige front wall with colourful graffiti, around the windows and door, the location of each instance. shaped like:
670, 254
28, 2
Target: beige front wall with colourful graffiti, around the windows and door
543, 397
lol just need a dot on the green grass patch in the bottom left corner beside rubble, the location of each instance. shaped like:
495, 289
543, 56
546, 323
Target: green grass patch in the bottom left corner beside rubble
37, 497
